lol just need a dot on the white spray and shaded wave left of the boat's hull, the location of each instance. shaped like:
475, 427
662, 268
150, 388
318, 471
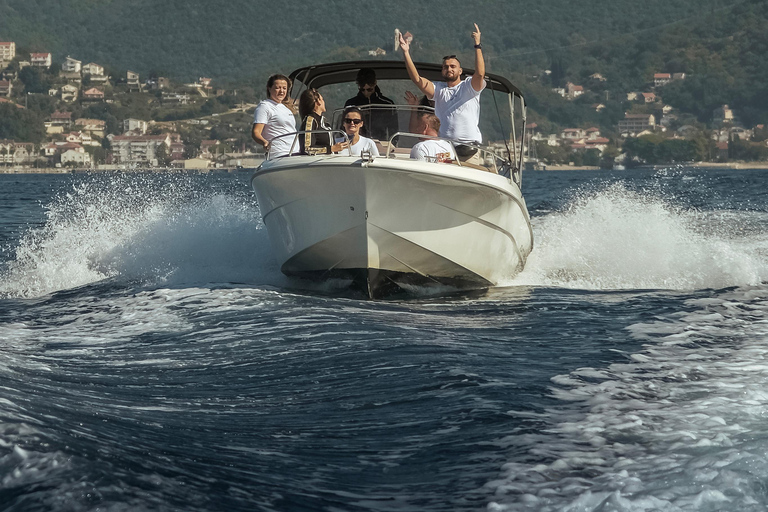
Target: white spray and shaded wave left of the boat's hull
141, 229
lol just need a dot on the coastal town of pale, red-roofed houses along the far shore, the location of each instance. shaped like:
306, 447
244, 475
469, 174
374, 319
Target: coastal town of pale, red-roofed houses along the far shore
87, 118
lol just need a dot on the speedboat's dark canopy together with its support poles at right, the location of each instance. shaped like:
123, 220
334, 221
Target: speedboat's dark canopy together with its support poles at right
319, 75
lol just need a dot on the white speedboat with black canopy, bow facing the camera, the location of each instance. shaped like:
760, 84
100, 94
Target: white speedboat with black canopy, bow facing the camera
388, 223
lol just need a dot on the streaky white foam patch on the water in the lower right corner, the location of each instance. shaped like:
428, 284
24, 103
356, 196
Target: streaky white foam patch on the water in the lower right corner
681, 426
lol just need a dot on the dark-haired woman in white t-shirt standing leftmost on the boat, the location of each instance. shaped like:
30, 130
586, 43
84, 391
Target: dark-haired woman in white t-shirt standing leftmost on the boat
274, 117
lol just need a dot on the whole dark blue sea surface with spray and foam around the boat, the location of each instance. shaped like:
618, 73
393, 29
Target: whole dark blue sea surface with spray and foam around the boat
153, 357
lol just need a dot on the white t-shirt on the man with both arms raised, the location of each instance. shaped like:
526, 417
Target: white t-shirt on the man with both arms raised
458, 109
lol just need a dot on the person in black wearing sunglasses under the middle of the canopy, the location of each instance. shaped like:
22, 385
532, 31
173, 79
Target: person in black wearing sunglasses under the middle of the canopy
381, 117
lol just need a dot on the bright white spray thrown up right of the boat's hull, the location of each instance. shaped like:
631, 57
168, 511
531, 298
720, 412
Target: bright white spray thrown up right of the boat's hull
617, 239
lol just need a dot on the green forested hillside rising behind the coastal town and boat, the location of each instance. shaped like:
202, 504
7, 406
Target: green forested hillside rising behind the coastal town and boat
720, 44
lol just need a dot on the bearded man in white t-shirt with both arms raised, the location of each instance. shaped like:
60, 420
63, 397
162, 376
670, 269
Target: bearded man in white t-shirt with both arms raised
457, 101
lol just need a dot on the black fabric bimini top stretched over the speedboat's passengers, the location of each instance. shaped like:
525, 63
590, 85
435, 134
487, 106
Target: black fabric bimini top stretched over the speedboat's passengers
346, 72
